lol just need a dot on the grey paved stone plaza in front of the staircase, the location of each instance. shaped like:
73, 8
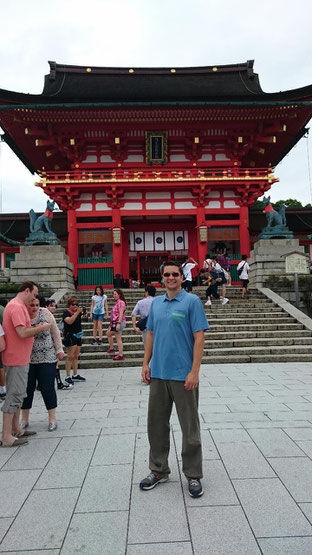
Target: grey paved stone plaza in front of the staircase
76, 490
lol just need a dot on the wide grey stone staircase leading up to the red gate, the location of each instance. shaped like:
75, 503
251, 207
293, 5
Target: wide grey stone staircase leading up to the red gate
244, 330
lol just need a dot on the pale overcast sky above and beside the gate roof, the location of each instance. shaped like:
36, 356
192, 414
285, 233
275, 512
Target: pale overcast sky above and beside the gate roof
276, 33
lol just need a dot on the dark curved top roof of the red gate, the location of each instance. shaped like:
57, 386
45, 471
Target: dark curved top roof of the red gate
77, 84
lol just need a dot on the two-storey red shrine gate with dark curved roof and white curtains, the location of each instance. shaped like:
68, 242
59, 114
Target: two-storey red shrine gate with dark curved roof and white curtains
153, 163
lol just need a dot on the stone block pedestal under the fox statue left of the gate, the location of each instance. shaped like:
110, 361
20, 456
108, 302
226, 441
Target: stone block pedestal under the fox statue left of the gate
47, 265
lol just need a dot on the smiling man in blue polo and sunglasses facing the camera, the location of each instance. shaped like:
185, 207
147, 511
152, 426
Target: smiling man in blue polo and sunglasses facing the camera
175, 338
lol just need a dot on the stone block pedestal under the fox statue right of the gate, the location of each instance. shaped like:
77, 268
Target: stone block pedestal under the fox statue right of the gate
266, 258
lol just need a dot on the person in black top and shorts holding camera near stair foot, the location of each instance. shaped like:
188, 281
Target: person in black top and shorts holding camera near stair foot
72, 339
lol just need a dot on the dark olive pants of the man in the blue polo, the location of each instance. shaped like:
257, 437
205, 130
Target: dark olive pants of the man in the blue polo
163, 393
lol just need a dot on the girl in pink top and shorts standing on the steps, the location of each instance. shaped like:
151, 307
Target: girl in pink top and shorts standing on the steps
117, 324
